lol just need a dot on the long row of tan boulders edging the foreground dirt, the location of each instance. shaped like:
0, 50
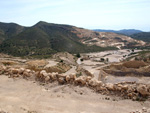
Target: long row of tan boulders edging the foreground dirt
131, 90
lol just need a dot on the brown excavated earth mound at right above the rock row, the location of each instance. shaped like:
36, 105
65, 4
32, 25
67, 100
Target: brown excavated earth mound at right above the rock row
128, 68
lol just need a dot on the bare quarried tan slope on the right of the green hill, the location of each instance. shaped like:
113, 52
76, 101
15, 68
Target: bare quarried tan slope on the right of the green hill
105, 39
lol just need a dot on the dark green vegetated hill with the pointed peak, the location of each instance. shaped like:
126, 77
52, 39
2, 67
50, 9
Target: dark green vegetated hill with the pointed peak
44, 39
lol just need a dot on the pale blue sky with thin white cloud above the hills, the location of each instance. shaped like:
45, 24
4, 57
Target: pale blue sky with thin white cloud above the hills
90, 14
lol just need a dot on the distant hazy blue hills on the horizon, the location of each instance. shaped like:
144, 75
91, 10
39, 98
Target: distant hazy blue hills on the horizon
123, 31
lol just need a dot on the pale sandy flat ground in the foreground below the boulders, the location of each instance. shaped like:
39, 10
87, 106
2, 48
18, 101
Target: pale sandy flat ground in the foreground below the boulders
22, 96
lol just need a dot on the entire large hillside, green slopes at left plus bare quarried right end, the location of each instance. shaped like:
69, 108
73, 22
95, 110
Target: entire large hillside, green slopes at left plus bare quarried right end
46, 38
